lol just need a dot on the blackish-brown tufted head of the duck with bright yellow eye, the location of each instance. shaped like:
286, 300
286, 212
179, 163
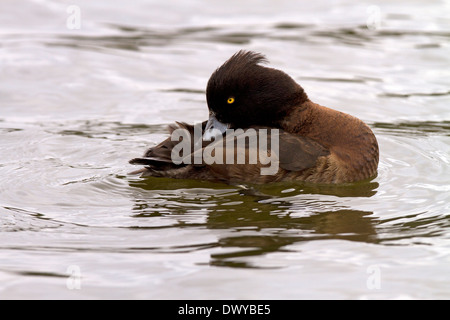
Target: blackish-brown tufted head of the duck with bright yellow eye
242, 92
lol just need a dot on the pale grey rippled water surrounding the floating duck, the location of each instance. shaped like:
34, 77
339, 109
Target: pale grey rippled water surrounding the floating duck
77, 104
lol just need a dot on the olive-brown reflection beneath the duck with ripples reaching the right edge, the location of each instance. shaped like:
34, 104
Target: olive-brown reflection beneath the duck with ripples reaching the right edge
255, 223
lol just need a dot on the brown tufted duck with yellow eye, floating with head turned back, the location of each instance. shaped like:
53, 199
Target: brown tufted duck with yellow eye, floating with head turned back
293, 138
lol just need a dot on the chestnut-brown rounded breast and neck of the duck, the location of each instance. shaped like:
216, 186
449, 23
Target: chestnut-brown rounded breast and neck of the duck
352, 145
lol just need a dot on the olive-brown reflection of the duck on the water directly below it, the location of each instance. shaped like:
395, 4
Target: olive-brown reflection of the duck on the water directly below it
252, 222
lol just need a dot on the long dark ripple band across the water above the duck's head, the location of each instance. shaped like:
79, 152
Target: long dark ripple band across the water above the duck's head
134, 38
